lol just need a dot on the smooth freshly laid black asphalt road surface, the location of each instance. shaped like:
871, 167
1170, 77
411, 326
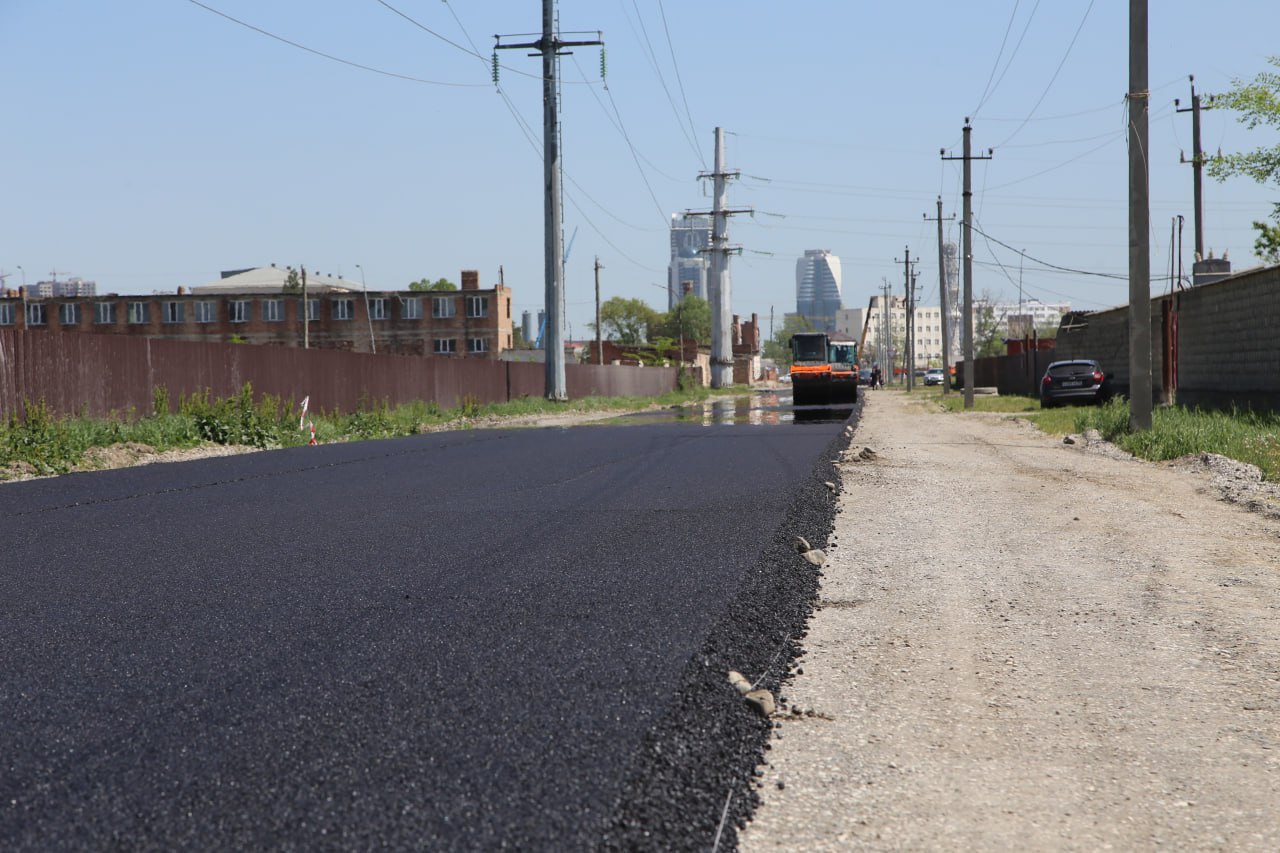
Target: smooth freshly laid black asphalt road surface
445, 642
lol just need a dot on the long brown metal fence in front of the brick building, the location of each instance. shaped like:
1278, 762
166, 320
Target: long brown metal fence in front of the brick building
104, 375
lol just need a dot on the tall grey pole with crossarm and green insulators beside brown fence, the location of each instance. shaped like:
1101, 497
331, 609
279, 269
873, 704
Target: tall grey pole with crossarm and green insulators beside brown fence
550, 47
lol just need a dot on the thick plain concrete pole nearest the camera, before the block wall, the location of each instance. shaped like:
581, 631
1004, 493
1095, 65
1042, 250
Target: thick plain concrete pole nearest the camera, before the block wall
1140, 223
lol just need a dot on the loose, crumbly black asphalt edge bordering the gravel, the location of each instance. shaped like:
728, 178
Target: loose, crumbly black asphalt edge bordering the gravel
693, 779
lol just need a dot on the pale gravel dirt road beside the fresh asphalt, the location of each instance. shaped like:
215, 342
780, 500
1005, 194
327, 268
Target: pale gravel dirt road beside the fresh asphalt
1030, 646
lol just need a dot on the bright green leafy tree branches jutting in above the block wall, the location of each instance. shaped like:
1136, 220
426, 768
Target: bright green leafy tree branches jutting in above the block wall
1259, 103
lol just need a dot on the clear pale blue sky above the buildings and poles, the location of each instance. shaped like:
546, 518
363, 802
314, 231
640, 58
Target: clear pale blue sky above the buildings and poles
150, 145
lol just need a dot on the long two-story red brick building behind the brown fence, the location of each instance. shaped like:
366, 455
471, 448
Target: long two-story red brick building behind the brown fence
255, 307
